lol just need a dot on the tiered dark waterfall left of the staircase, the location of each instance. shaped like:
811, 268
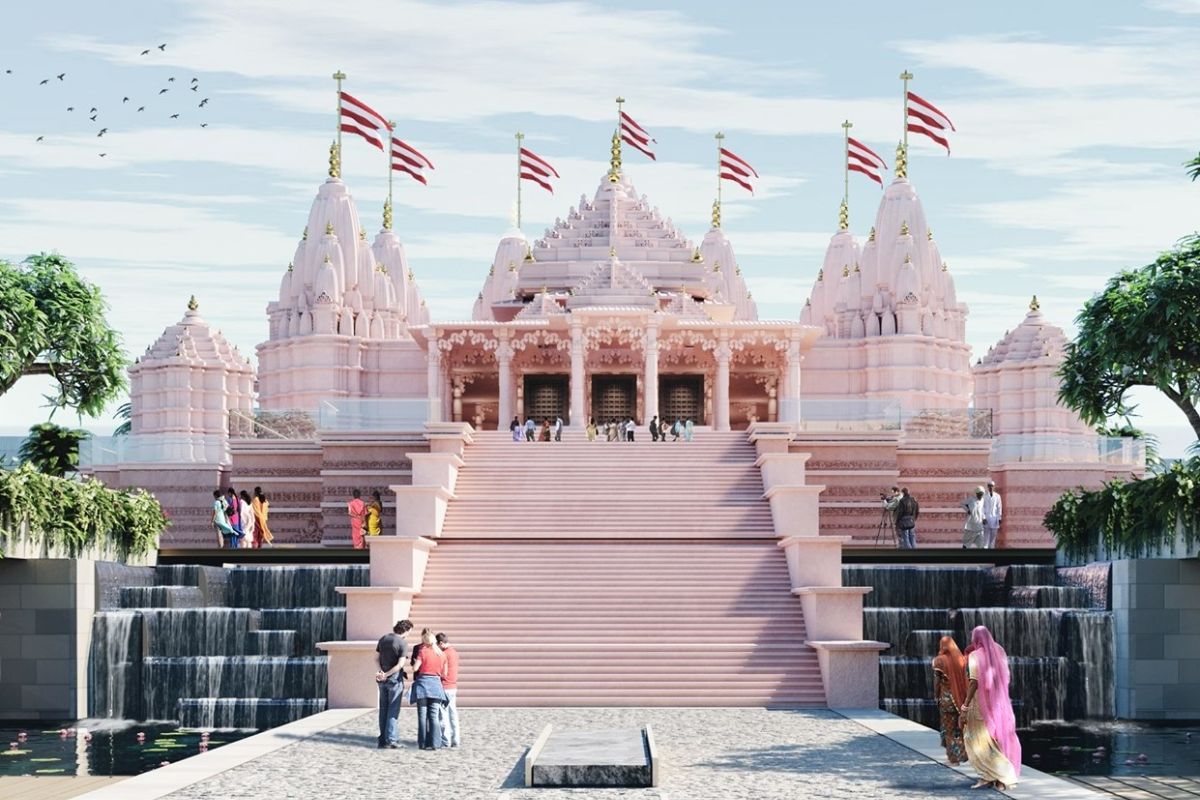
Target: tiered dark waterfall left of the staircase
178, 651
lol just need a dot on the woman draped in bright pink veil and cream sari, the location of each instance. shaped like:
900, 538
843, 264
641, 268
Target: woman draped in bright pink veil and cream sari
989, 729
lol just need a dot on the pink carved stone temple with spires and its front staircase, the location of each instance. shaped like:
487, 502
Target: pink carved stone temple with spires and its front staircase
611, 315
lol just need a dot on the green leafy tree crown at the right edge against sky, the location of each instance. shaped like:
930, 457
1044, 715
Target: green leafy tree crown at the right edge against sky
1142, 330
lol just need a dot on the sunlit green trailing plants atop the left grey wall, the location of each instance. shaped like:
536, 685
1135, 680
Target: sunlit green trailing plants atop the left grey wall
77, 515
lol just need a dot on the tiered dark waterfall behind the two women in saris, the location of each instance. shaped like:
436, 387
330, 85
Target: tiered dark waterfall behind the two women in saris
1059, 643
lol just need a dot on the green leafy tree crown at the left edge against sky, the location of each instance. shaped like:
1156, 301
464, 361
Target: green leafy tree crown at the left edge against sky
52, 323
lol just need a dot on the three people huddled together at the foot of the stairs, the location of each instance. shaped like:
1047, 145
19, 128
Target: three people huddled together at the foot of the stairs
434, 667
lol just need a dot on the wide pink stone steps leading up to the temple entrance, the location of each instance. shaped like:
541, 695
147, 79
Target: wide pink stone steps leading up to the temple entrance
617, 574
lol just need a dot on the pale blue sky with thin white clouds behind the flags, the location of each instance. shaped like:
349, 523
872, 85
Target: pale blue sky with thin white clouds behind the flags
1073, 123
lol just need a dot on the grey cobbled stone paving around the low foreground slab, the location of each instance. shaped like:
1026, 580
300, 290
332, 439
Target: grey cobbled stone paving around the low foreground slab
706, 754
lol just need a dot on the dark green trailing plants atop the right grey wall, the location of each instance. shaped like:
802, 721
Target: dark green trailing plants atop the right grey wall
1127, 520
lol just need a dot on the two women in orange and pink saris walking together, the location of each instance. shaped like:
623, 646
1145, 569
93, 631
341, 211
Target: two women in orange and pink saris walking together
975, 712
